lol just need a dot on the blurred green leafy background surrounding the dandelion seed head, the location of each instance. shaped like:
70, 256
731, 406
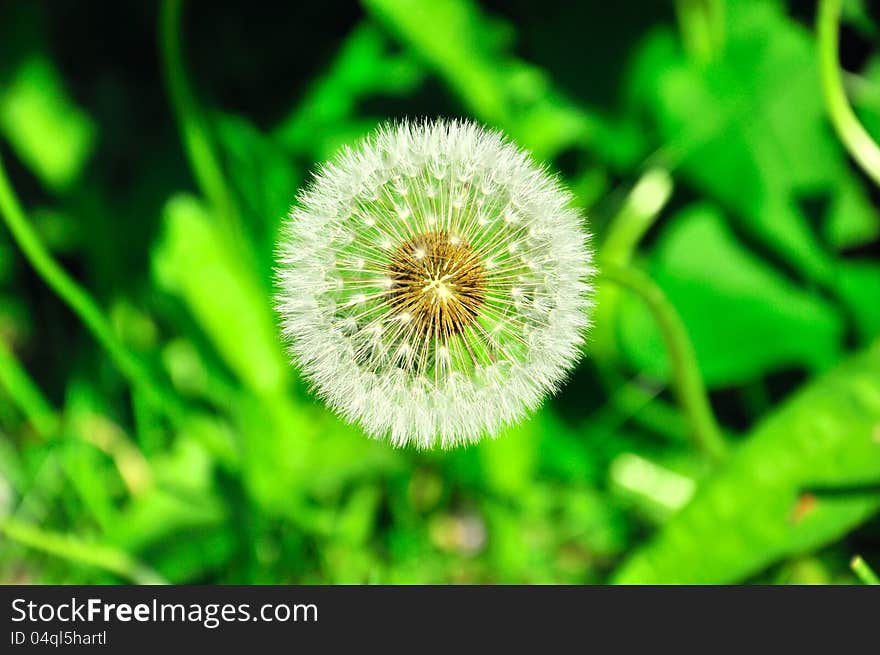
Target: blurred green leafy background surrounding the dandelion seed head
152, 430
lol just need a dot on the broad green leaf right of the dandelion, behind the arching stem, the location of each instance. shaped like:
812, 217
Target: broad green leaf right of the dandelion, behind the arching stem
739, 312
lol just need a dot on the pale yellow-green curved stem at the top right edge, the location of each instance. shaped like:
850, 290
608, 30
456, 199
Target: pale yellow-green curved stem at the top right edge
851, 132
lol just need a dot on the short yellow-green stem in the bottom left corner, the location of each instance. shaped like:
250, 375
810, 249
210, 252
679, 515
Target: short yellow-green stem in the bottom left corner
73, 549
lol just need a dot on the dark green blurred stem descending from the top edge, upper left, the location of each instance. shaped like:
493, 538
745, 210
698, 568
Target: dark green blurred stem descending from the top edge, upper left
193, 125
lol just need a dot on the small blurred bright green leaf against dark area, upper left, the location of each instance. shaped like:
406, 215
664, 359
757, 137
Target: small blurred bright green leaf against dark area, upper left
43, 125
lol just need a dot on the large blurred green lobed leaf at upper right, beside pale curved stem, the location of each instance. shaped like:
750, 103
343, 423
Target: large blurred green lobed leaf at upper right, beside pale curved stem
750, 131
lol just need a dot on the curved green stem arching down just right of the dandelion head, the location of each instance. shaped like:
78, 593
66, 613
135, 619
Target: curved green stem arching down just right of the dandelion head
687, 380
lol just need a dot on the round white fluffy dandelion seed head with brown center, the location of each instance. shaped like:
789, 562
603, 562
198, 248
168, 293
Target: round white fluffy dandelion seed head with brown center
434, 283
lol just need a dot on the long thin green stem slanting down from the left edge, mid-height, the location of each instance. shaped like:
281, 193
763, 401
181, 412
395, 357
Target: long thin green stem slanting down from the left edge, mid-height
77, 298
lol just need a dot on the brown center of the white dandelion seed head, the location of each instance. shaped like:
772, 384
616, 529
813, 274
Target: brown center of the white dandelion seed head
438, 283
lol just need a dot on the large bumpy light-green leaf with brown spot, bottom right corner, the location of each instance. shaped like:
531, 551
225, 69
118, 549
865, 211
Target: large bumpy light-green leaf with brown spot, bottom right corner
802, 479
